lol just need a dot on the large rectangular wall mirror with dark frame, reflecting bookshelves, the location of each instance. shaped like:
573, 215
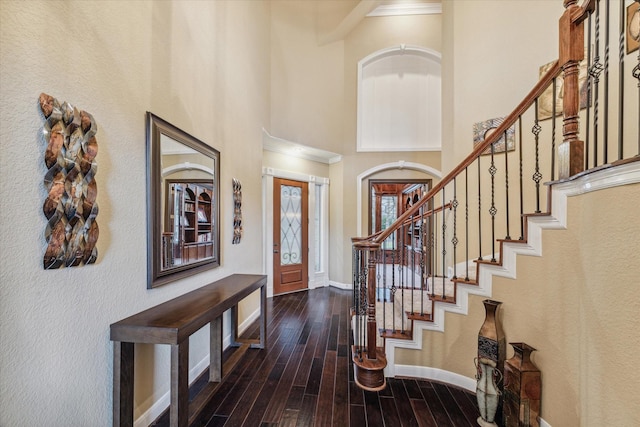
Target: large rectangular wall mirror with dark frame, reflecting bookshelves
183, 177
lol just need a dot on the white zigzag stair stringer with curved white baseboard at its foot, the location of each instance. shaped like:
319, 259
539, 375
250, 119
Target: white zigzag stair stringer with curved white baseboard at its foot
604, 177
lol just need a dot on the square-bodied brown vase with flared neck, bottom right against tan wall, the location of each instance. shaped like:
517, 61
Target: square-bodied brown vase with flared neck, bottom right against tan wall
522, 388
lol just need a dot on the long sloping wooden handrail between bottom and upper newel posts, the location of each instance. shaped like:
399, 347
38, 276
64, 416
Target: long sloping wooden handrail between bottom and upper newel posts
510, 120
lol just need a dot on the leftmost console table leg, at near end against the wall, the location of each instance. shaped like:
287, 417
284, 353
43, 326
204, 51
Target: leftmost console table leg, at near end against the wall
123, 383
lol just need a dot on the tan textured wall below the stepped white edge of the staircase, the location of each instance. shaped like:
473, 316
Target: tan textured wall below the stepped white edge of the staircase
577, 305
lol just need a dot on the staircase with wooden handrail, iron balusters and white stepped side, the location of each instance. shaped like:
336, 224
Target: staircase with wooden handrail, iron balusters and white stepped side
491, 207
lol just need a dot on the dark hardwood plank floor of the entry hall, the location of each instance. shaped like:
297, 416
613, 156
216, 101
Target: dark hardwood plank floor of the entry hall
305, 378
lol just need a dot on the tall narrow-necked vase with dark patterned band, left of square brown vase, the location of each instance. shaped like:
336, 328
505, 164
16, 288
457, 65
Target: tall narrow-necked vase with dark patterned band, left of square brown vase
490, 364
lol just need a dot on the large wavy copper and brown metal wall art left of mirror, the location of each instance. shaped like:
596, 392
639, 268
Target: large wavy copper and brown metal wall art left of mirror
70, 207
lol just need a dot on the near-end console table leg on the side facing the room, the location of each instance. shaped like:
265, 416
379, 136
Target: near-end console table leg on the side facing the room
179, 409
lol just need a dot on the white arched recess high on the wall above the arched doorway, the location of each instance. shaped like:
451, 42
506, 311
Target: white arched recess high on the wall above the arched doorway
399, 93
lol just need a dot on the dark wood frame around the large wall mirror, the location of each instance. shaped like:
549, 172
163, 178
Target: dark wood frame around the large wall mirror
157, 273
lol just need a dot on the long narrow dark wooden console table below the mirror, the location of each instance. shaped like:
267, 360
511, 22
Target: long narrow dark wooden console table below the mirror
172, 323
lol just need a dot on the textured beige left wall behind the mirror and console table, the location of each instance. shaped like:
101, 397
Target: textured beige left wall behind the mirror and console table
203, 66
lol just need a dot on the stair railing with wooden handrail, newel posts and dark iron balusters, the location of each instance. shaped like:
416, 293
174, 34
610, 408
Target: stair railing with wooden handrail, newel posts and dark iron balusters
460, 223
